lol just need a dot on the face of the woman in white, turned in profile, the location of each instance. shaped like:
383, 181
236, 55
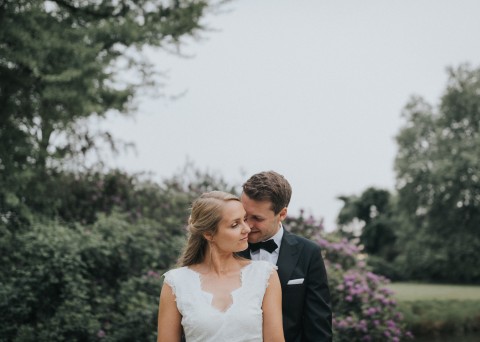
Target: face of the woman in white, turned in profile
232, 233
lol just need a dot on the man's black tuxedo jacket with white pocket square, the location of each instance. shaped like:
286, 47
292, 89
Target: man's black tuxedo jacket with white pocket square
306, 309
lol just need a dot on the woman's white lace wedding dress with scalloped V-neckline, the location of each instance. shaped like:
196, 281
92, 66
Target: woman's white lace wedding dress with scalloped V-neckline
240, 322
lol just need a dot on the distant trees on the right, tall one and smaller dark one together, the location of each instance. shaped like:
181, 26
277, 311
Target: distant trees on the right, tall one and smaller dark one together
429, 227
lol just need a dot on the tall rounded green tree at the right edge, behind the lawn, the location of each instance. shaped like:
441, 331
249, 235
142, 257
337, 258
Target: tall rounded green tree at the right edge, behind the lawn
438, 182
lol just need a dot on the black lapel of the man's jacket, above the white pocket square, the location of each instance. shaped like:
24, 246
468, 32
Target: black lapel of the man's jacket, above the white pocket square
288, 257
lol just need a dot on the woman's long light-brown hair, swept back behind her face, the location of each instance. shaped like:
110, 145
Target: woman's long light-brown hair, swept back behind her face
206, 214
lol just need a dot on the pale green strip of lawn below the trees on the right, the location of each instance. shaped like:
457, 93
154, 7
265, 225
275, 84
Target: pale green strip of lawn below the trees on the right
413, 292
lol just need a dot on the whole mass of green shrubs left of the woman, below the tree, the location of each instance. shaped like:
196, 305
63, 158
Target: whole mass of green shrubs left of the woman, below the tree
88, 268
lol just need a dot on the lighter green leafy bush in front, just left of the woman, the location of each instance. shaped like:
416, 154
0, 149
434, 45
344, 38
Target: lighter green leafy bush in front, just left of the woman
77, 283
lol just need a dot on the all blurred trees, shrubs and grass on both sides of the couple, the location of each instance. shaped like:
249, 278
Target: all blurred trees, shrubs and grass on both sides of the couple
83, 248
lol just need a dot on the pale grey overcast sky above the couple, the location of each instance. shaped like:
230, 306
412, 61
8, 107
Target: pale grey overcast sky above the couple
311, 89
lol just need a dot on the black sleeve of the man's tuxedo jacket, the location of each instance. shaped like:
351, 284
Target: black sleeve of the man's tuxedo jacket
317, 315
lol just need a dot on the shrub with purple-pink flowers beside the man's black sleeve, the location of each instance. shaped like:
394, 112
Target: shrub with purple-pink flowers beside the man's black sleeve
363, 308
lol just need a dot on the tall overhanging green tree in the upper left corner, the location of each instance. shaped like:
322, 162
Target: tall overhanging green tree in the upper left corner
64, 61
